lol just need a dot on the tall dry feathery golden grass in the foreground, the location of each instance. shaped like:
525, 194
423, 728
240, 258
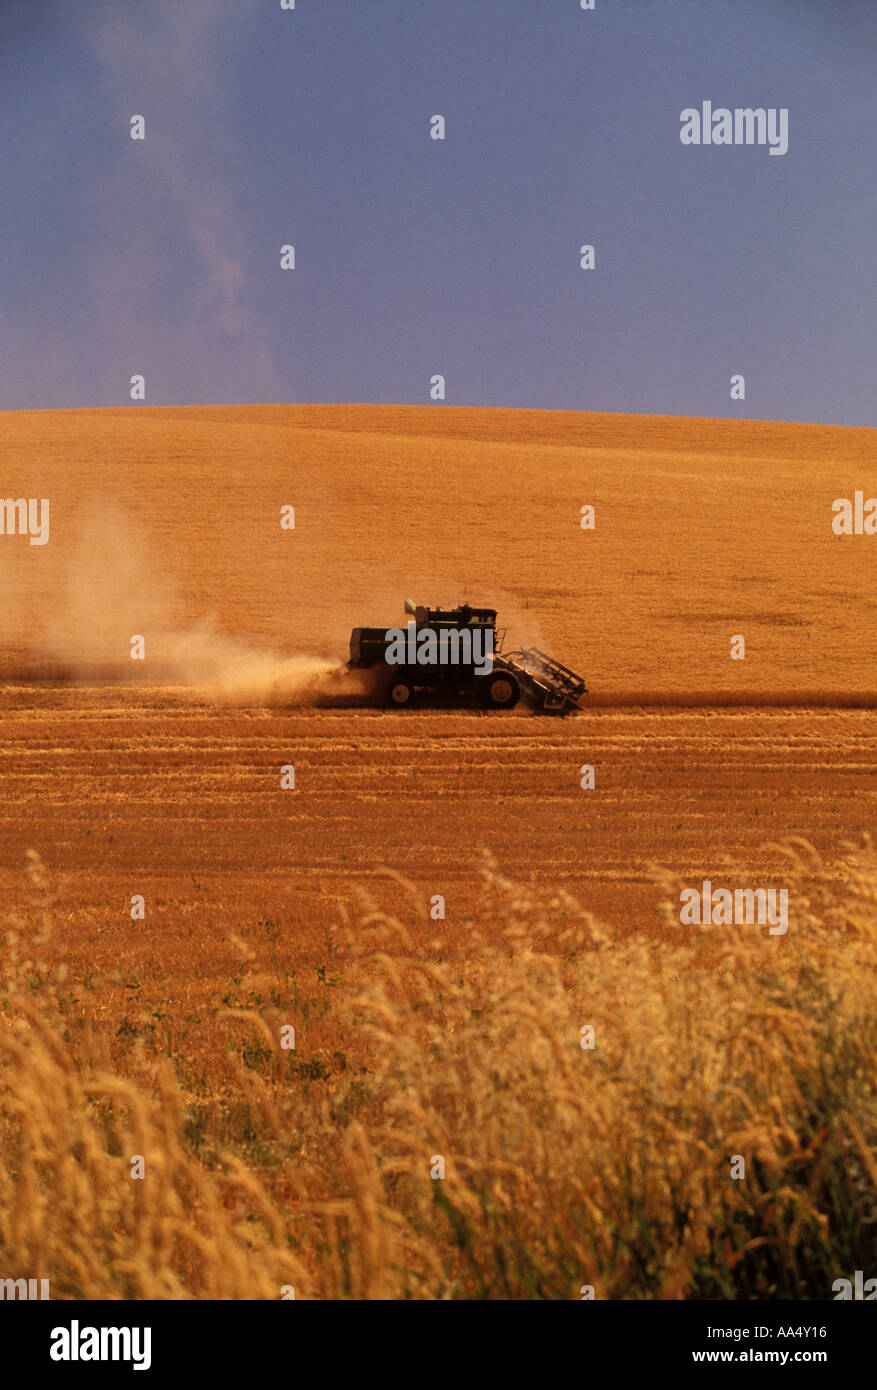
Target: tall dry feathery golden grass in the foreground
565, 1167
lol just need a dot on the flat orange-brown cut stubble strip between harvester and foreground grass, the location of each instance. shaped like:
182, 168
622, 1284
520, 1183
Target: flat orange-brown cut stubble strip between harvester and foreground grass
130, 794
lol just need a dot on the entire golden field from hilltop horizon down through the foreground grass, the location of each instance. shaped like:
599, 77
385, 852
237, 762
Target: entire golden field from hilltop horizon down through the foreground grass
419, 1038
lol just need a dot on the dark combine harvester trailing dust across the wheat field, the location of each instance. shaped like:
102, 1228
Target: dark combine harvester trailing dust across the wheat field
454, 653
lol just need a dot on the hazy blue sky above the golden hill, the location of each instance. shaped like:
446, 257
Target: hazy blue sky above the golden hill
415, 256
